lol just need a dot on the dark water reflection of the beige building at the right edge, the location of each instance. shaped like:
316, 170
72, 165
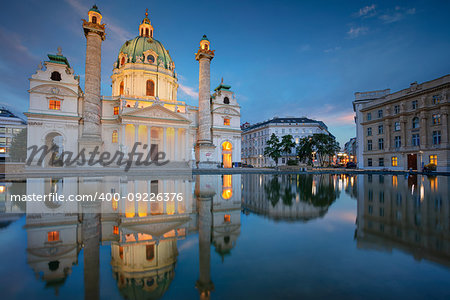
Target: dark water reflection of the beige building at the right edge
406, 214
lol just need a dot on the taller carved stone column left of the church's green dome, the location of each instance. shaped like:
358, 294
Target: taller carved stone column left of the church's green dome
94, 31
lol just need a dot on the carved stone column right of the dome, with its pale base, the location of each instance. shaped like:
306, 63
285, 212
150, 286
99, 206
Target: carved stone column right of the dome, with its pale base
205, 149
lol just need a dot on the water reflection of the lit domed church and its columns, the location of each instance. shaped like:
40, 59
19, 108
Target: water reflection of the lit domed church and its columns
142, 235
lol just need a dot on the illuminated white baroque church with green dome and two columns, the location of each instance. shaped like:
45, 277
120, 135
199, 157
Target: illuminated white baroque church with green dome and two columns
143, 108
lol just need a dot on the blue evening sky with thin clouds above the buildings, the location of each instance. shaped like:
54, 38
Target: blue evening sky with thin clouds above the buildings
282, 58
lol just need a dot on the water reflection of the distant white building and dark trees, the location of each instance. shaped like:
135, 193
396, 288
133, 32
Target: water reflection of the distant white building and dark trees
289, 197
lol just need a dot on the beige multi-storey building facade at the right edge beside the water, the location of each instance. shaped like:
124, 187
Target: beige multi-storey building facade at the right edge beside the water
404, 130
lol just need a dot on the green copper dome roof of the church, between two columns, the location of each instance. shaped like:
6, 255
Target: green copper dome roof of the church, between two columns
137, 46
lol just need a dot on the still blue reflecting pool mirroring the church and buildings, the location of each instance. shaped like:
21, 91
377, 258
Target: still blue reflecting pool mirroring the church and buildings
247, 236
